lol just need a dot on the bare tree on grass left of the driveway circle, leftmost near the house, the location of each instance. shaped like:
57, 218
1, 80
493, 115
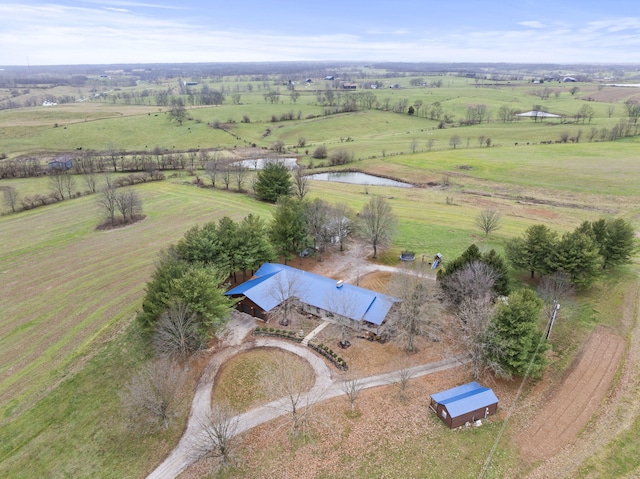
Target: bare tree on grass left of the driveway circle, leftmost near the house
154, 395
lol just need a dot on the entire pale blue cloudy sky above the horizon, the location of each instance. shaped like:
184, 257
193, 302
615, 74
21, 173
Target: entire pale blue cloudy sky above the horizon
146, 31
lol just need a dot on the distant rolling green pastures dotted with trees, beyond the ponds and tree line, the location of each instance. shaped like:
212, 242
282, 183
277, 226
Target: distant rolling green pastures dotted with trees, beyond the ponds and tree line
98, 124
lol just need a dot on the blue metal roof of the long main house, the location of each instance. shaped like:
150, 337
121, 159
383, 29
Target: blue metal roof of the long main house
266, 290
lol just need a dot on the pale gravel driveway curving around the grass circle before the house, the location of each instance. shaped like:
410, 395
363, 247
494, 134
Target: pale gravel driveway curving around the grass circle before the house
325, 387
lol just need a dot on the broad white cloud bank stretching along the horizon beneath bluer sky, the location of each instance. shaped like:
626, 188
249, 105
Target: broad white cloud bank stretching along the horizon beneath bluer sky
114, 32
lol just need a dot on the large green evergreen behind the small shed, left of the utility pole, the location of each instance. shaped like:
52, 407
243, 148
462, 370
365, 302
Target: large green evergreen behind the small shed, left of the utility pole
516, 340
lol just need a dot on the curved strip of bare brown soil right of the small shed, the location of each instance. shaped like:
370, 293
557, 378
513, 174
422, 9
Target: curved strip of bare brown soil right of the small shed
577, 399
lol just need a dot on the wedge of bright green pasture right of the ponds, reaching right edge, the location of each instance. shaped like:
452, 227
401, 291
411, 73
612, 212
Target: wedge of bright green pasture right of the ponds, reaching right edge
607, 170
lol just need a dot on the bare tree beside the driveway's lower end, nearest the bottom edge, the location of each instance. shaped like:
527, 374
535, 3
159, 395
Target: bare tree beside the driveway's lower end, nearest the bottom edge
219, 434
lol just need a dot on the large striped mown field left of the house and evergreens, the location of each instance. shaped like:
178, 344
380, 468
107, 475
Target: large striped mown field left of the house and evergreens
63, 283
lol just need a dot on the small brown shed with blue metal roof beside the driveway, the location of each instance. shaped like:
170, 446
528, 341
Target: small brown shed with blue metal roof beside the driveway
463, 404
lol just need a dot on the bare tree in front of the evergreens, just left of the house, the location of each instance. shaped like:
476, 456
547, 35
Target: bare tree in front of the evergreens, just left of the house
176, 335
